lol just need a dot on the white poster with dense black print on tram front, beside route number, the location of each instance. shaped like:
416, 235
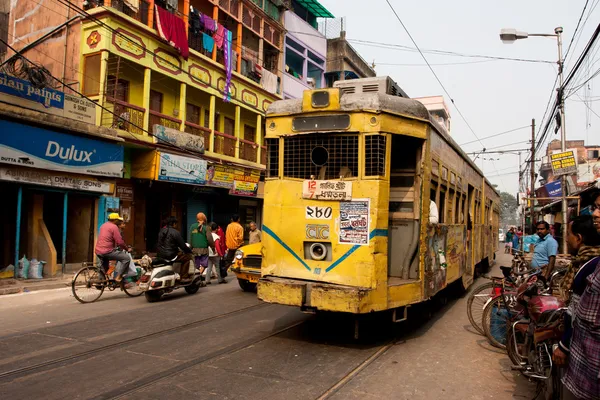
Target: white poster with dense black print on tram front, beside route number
354, 222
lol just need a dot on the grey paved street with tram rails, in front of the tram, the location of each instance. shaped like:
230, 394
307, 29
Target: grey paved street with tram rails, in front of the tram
223, 343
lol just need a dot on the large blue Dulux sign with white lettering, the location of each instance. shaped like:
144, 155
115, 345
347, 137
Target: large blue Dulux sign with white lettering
35, 147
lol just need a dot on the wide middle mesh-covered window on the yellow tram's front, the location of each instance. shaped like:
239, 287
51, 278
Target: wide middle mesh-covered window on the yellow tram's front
324, 156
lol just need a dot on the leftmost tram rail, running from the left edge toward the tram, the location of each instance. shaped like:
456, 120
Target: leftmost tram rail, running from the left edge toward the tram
176, 329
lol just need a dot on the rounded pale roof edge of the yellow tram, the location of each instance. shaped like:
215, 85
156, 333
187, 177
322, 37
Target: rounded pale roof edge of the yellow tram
379, 102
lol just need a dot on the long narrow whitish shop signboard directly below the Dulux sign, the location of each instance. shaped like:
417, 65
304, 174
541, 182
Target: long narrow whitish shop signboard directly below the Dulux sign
47, 178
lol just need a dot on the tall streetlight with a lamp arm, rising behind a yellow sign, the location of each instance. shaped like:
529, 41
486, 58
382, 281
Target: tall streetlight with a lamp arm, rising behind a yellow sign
512, 35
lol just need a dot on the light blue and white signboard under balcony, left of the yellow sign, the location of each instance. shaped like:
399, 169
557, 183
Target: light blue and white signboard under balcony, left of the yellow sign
176, 168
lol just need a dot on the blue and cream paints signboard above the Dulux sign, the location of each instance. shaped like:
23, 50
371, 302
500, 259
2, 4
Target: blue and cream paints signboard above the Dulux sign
22, 93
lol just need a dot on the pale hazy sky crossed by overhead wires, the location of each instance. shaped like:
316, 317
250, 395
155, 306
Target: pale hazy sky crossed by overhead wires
493, 96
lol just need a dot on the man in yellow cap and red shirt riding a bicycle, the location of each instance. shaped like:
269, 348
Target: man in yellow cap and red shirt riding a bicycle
109, 239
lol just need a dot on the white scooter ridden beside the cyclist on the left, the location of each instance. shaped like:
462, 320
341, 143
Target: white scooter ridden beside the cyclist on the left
161, 278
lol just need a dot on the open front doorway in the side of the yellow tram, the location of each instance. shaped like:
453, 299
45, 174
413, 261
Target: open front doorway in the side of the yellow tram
405, 207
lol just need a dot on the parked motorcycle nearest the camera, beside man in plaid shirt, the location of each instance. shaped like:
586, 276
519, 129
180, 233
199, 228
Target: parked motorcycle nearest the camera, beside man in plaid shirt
532, 338
